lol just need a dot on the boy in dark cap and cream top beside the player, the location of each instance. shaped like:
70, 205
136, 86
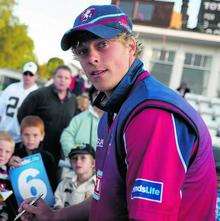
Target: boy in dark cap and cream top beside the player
75, 190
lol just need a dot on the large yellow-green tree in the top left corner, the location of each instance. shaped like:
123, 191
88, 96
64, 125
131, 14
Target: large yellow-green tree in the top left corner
16, 47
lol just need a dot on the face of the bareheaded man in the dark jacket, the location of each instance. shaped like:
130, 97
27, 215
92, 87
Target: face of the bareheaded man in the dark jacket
62, 80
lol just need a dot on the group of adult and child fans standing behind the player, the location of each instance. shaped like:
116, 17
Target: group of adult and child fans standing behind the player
56, 122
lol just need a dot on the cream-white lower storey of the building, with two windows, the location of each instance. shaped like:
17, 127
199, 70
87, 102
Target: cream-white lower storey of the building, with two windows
174, 56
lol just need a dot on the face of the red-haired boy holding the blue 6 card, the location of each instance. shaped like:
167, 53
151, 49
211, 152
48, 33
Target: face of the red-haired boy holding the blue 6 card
31, 137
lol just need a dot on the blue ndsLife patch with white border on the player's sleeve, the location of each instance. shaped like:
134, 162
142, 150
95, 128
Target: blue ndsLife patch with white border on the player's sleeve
147, 190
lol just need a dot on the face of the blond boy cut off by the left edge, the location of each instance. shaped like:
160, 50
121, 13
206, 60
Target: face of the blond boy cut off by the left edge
6, 151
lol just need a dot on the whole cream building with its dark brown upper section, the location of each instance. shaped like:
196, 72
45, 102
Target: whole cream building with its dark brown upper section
171, 52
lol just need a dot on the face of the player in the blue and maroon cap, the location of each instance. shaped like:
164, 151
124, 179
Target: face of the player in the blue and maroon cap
105, 62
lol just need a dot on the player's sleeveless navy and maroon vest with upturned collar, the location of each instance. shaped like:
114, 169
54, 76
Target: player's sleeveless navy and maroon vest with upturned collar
137, 91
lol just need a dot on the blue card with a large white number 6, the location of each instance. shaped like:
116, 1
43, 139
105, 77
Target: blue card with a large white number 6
30, 180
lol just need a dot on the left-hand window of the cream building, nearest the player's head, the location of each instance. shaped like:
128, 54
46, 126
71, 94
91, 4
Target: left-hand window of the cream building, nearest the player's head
162, 64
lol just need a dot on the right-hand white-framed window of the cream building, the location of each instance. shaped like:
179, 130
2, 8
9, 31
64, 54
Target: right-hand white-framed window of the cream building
196, 72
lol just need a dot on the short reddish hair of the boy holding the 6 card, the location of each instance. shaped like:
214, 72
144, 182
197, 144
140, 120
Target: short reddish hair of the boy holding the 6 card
32, 121
